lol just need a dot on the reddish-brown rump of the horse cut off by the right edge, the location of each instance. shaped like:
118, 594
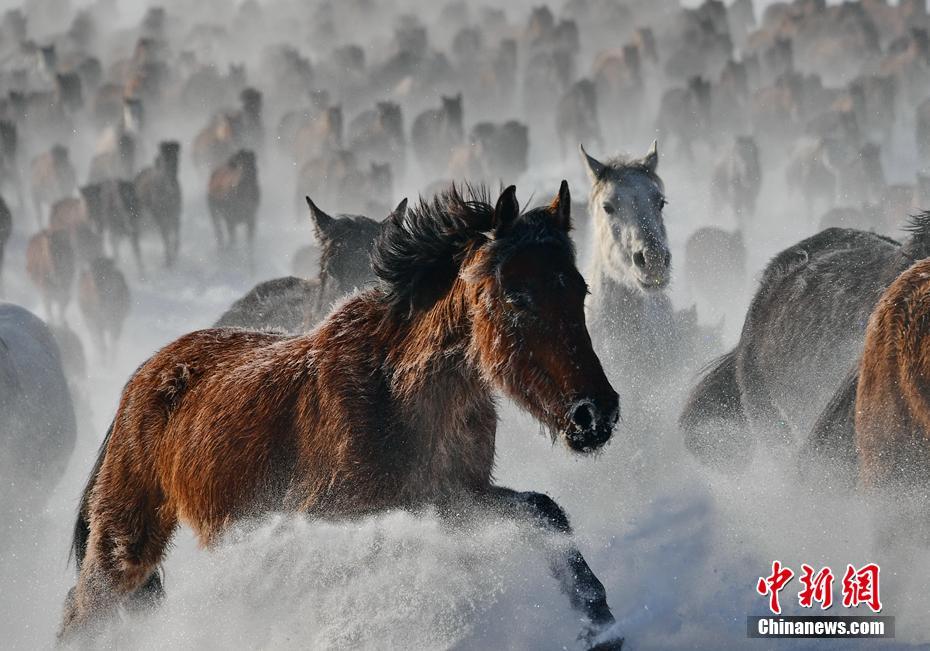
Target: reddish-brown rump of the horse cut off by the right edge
893, 395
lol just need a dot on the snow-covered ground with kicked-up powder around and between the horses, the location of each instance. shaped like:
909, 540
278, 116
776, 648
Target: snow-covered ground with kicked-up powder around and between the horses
678, 547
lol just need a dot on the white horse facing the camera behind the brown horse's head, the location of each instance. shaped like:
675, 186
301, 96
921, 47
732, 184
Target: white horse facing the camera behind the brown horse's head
641, 339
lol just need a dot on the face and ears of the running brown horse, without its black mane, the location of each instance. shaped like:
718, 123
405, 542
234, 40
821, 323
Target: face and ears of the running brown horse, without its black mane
527, 304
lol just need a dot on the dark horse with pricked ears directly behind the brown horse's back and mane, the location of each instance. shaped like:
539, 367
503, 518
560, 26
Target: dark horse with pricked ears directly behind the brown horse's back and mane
295, 305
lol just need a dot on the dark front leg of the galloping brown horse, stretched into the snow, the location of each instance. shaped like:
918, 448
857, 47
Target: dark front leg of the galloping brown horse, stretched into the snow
585, 591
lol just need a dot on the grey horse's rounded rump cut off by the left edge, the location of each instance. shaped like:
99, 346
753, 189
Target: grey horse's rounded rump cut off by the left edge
37, 423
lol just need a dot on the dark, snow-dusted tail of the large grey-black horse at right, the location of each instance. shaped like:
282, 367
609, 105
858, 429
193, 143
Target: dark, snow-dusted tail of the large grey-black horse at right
713, 421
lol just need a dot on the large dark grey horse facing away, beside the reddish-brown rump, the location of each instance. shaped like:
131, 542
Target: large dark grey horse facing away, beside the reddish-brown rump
797, 353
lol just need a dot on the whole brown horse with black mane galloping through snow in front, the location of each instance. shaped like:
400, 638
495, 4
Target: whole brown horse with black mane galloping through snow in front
388, 403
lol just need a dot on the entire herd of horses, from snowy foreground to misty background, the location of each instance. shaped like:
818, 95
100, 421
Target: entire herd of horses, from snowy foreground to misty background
367, 380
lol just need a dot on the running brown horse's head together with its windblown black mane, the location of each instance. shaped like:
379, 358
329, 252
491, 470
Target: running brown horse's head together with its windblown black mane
506, 284
